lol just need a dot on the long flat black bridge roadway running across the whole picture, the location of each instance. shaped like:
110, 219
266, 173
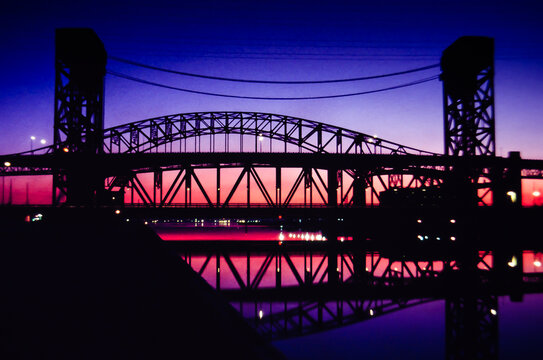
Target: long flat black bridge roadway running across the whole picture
113, 164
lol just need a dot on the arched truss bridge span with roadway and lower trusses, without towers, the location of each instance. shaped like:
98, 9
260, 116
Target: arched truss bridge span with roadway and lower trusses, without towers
332, 166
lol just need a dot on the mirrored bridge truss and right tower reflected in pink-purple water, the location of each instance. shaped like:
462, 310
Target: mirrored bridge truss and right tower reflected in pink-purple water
284, 286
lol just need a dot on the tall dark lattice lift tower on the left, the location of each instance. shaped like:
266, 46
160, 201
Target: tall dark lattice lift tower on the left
80, 65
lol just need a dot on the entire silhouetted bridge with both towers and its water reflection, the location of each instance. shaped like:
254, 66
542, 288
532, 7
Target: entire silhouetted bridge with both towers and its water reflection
403, 226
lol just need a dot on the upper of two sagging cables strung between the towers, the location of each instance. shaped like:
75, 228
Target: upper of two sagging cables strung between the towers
151, 67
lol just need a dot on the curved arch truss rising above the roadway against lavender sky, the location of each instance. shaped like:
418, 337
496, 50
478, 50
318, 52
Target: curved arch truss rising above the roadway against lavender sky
243, 132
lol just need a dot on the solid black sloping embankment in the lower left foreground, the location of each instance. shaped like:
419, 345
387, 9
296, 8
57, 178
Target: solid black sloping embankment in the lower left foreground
82, 285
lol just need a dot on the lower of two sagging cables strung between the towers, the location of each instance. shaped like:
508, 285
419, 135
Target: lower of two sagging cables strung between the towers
142, 81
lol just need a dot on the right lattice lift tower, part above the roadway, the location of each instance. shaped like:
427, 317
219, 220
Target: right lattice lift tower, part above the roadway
468, 97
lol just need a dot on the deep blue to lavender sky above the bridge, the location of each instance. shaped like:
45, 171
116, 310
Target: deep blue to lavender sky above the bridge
290, 40
